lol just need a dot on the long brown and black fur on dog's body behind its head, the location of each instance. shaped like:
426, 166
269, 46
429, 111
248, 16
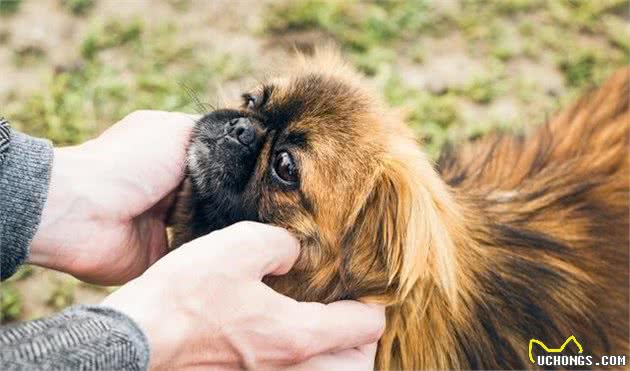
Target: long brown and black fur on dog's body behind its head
543, 247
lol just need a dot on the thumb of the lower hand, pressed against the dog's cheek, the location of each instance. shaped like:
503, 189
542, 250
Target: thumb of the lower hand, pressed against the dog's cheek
256, 249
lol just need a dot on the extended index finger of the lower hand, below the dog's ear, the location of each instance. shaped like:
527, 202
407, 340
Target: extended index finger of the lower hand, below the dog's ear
340, 325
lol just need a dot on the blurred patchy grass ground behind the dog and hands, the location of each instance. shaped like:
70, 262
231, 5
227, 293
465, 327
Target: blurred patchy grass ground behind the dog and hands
70, 68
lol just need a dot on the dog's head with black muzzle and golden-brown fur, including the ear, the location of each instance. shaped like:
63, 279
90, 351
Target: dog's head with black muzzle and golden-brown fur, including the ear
316, 152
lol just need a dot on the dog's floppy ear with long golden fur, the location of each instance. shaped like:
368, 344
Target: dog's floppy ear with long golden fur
408, 218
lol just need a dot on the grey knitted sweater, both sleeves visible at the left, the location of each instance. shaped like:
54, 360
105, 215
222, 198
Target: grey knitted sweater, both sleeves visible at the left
80, 337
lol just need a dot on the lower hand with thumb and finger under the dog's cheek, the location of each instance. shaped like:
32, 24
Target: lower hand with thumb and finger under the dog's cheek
205, 306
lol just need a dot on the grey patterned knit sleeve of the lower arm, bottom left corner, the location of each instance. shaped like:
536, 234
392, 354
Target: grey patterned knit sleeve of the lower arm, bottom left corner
79, 338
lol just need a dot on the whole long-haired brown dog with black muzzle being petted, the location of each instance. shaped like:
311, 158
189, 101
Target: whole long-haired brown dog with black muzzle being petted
503, 240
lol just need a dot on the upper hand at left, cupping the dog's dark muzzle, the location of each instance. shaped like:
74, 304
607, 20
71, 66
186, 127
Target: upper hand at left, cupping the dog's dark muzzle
104, 219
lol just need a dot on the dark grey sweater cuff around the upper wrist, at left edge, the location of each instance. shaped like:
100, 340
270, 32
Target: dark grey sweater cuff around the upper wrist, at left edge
24, 177
